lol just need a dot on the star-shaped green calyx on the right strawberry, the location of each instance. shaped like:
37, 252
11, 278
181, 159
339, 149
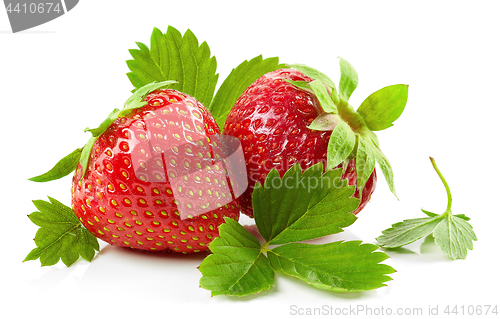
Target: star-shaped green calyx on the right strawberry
353, 130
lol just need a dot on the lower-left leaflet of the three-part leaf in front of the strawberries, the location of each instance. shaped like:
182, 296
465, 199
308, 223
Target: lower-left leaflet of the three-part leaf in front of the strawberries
237, 266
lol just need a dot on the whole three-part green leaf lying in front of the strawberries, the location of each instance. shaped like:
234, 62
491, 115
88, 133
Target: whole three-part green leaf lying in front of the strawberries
298, 206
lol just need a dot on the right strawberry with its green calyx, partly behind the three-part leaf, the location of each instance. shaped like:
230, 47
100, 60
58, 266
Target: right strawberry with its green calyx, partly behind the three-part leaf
296, 115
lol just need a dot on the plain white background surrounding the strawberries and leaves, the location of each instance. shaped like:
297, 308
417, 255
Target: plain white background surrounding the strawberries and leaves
61, 77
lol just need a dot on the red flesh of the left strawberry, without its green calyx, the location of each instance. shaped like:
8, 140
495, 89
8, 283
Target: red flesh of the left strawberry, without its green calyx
125, 196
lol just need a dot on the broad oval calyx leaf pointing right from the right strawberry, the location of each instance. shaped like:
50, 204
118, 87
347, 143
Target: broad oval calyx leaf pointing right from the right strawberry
383, 107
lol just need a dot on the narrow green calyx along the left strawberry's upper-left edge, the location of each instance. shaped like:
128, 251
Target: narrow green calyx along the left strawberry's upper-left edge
81, 155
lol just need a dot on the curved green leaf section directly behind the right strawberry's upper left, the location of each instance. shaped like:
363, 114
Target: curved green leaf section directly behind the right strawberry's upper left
238, 81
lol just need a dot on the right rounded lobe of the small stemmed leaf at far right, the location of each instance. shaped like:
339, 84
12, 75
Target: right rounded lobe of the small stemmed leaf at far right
454, 235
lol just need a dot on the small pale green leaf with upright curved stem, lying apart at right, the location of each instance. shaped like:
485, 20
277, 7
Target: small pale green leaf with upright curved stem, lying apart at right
452, 233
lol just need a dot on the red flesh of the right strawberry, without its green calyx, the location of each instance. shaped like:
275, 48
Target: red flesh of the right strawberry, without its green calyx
270, 118
